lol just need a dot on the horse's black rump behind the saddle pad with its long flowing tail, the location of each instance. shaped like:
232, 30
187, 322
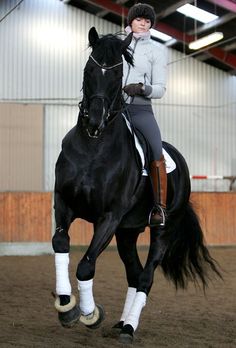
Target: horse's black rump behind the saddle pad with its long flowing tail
187, 257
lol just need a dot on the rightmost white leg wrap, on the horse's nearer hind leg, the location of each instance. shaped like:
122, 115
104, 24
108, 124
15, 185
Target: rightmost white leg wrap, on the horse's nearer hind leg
135, 311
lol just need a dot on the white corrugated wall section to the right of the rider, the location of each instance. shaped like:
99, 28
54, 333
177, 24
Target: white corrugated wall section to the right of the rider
197, 115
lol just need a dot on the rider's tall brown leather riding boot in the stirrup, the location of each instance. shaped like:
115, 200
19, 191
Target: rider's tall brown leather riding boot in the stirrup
157, 216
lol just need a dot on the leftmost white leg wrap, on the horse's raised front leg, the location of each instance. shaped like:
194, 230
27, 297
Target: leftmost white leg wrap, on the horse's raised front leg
63, 286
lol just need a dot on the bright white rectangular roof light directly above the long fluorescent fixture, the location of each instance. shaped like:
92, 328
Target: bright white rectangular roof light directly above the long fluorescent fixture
197, 13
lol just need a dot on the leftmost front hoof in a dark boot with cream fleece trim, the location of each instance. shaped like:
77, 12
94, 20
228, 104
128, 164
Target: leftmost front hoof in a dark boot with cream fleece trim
68, 314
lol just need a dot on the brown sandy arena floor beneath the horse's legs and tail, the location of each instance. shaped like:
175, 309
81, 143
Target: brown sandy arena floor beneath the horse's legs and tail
170, 318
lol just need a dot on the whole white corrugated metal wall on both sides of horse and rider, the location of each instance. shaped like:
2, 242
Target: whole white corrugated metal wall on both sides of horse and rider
43, 52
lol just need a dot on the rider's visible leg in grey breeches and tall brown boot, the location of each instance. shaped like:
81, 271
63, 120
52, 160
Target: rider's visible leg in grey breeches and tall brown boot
143, 119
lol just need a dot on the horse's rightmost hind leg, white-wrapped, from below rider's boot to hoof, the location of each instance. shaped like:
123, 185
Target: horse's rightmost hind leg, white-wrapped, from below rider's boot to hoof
155, 255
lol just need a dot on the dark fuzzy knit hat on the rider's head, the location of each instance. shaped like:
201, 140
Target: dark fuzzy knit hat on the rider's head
143, 11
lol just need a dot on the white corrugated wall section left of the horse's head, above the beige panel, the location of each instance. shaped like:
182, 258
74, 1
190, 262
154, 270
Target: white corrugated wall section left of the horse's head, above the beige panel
44, 49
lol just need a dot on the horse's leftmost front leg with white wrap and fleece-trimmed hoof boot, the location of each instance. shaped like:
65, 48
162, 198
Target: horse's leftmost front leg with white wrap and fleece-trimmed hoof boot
65, 303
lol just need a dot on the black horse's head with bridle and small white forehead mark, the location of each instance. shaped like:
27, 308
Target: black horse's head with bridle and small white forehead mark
102, 85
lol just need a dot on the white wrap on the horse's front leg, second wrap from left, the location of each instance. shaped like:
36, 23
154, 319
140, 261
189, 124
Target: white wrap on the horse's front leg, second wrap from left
87, 304
